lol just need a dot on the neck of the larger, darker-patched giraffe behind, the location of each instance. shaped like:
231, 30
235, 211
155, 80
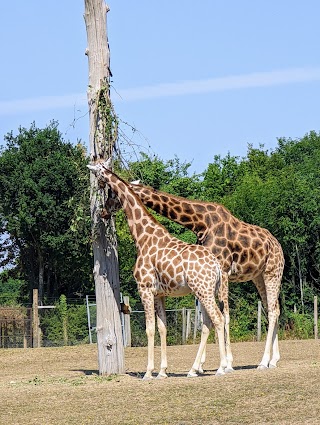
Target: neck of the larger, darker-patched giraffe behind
191, 214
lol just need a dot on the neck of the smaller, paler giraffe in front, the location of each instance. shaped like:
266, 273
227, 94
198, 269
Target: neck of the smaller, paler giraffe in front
141, 223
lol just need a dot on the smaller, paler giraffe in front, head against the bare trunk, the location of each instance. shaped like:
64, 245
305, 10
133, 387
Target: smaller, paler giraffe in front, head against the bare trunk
166, 266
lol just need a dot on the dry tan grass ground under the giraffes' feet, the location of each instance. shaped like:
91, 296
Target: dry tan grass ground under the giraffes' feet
61, 386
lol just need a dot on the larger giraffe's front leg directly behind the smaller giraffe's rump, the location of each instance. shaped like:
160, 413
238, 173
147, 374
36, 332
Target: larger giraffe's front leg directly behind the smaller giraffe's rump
224, 305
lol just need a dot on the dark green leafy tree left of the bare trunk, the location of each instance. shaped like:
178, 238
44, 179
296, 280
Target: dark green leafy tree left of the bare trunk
44, 208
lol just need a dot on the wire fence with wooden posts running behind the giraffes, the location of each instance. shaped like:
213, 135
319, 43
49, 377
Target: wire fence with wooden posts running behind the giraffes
183, 325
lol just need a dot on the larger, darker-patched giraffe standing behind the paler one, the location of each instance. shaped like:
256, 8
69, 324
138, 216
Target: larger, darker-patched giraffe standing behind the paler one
245, 252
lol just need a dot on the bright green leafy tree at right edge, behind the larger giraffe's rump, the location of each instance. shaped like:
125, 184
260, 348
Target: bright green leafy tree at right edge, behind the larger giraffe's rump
280, 191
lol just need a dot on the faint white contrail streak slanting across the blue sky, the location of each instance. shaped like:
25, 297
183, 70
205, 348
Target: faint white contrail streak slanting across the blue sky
182, 88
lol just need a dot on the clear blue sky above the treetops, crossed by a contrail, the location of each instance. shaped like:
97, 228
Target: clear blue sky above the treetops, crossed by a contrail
195, 79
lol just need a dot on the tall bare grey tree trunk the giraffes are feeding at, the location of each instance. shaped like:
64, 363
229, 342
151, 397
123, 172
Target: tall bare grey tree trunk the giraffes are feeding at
103, 133
